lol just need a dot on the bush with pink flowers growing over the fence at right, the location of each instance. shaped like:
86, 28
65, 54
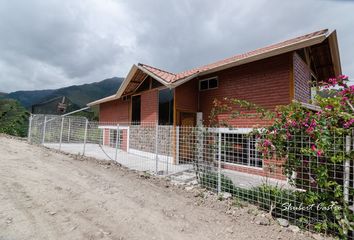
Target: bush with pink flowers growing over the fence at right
312, 140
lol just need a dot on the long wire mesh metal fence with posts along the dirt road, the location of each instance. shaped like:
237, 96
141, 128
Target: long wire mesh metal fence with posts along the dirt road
227, 161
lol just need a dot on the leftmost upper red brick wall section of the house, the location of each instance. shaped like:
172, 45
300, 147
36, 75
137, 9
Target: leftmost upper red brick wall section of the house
115, 111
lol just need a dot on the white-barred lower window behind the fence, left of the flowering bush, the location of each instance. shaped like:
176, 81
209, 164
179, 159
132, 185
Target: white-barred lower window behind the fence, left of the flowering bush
240, 149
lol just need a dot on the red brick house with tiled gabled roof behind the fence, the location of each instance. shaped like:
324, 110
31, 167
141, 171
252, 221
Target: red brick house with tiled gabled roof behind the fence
269, 76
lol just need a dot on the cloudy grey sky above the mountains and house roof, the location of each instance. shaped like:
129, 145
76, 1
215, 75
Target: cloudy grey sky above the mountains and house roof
47, 44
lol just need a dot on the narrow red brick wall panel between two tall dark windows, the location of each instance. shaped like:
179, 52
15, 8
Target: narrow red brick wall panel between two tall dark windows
149, 106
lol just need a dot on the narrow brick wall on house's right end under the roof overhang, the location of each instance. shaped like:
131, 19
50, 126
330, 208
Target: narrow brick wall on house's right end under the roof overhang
302, 77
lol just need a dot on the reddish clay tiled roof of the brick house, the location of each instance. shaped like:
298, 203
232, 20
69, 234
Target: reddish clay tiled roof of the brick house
174, 77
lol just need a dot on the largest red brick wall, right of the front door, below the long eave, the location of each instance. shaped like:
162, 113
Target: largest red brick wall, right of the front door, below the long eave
265, 83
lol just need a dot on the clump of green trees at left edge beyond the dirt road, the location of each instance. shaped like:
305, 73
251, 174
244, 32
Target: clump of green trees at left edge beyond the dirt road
13, 118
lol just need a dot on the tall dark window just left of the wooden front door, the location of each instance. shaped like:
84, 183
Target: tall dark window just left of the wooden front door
166, 107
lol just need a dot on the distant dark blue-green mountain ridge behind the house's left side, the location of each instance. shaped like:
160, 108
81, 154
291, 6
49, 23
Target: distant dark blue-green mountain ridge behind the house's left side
79, 94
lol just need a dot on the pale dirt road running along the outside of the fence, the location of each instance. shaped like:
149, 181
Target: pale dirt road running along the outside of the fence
48, 195
